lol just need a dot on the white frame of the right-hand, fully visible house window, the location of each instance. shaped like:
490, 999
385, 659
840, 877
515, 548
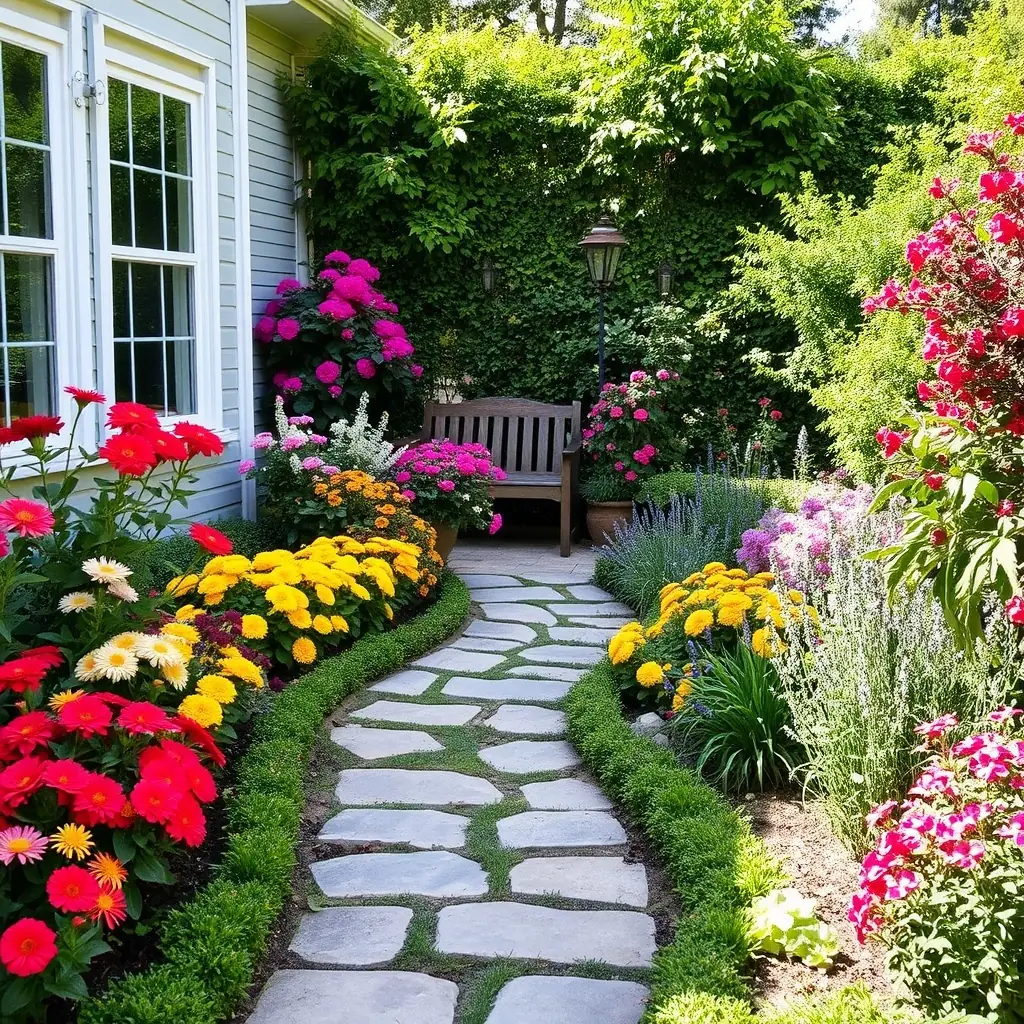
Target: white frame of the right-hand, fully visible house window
199, 91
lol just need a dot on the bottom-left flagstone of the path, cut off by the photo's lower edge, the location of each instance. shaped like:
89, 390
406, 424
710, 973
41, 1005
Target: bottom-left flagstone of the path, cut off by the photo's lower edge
357, 998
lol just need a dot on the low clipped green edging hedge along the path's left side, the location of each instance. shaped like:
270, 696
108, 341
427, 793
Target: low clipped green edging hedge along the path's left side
212, 945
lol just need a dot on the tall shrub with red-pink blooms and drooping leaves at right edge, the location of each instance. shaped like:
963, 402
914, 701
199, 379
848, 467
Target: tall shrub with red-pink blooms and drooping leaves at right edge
958, 459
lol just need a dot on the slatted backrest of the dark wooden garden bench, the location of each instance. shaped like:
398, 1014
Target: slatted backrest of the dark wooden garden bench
524, 437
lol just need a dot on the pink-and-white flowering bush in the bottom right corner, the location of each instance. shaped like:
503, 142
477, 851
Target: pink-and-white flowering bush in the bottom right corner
942, 890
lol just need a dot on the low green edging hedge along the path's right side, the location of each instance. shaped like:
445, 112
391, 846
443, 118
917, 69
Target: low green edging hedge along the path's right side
715, 864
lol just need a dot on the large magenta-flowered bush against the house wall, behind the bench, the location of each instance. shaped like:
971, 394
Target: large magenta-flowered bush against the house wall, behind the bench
332, 340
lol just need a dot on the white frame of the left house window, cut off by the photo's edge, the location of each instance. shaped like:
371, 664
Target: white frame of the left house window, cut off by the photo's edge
73, 340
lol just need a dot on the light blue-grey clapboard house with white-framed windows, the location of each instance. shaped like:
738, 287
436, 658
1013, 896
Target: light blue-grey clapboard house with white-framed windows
148, 205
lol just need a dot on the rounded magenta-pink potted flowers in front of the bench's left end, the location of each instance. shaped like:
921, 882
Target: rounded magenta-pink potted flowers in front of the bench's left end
450, 484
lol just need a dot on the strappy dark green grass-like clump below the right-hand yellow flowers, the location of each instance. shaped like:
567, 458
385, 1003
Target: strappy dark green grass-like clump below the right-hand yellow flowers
737, 727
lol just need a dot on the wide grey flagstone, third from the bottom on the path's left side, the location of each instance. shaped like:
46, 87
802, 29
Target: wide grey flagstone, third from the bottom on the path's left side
438, 874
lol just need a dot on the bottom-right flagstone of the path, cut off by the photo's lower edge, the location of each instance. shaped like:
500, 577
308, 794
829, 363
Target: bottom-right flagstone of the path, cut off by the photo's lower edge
569, 1001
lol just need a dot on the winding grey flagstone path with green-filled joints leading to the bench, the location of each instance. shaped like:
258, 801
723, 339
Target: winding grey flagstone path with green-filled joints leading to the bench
466, 843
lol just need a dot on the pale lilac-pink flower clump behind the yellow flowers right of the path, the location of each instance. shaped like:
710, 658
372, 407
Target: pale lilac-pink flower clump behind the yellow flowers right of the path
804, 545
